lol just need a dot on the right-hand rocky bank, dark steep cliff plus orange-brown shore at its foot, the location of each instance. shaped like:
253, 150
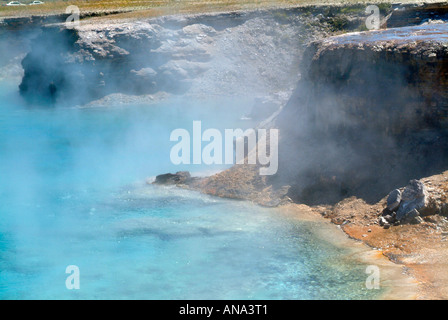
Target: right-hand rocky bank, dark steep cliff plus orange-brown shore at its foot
363, 140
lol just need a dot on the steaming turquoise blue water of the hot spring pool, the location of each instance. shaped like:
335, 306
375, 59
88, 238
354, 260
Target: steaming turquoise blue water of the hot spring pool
71, 193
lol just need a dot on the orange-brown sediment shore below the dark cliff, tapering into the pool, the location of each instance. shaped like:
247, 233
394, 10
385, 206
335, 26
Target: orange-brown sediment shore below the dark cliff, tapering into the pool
413, 259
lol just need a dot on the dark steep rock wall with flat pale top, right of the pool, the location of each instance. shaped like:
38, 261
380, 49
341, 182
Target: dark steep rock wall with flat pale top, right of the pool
369, 114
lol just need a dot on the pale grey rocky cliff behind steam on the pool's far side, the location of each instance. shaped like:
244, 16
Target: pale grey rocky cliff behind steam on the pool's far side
228, 53
